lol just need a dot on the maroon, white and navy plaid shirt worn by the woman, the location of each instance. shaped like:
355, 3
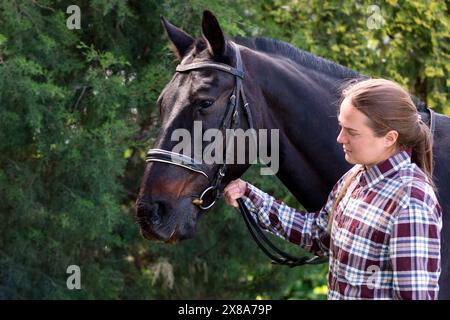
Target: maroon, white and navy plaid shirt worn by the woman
385, 238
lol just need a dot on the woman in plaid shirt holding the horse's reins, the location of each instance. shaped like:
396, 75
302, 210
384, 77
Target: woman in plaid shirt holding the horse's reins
380, 225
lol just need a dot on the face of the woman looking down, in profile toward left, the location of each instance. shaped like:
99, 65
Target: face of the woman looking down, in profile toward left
360, 144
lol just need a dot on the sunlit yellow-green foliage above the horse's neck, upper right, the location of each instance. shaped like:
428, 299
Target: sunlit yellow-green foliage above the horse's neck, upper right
406, 41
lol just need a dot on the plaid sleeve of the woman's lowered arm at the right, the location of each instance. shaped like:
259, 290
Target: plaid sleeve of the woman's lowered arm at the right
414, 248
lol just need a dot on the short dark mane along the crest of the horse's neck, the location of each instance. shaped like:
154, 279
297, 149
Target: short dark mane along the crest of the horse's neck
304, 58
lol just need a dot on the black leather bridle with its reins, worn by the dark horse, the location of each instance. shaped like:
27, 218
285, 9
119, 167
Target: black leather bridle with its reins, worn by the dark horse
230, 120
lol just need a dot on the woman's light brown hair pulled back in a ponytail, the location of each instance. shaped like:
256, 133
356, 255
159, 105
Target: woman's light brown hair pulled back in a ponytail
389, 107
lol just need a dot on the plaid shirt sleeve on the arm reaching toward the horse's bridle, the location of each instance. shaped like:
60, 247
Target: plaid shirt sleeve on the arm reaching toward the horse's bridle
306, 229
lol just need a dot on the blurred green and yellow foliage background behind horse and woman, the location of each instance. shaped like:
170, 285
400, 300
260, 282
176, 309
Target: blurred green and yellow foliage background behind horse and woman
77, 111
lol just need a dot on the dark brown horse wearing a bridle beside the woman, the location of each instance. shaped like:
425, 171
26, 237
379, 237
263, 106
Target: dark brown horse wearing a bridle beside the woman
286, 89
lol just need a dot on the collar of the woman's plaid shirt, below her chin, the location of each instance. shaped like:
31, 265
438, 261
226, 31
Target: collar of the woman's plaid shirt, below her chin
371, 176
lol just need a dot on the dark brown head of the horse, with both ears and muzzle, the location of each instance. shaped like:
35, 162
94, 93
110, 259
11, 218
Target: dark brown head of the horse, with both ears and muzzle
168, 204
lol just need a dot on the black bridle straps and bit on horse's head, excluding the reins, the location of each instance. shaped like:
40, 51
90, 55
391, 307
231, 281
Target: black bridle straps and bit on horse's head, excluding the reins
230, 120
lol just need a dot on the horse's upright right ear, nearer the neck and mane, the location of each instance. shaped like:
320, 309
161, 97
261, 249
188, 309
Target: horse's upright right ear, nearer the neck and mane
213, 34
